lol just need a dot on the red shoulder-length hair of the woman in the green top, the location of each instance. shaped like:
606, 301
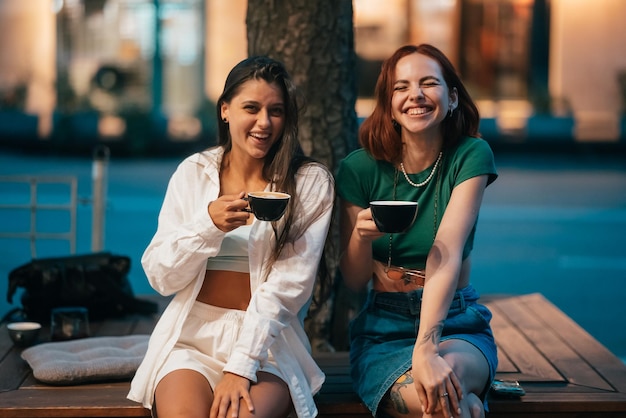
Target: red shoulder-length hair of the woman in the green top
378, 134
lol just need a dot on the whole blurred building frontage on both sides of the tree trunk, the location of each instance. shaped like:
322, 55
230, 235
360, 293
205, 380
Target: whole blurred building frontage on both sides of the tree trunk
145, 73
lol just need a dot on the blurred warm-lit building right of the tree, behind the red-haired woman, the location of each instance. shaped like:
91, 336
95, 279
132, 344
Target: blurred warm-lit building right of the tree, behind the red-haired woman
541, 70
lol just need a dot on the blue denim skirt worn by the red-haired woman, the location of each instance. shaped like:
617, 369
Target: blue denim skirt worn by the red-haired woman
382, 337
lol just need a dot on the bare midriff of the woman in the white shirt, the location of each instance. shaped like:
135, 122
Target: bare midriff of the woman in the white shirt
226, 289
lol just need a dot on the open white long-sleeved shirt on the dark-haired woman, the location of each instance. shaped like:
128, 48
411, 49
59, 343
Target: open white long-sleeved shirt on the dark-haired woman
175, 263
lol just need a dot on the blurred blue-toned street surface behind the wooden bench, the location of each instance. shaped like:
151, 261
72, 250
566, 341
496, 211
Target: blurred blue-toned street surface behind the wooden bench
552, 223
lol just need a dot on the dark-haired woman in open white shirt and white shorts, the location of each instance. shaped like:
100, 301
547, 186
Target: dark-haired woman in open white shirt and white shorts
231, 342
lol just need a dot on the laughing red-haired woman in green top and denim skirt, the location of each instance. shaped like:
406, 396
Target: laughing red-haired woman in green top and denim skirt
422, 345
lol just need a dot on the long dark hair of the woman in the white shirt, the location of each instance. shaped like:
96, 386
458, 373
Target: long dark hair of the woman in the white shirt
286, 155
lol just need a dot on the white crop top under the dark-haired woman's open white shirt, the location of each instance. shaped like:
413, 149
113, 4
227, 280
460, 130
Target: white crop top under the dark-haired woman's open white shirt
233, 255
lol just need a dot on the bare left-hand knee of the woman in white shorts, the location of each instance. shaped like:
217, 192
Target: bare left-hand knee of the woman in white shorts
183, 393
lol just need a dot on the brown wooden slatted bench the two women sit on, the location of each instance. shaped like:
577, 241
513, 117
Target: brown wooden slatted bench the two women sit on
565, 372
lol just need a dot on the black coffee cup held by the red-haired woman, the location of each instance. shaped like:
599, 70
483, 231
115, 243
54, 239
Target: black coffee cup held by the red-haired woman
393, 216
